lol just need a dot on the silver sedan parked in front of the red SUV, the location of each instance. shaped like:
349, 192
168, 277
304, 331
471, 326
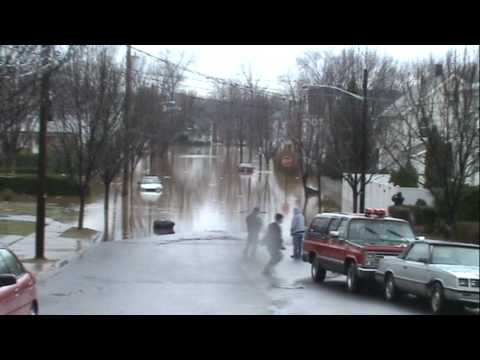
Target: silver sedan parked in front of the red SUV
443, 272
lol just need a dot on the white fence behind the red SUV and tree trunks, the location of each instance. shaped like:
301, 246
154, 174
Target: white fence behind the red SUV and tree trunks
379, 192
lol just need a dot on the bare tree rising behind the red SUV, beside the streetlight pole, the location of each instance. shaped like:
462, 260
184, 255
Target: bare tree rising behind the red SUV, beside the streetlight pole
343, 113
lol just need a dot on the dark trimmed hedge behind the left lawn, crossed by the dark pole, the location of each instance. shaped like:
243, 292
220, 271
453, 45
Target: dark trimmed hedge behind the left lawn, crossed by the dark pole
27, 184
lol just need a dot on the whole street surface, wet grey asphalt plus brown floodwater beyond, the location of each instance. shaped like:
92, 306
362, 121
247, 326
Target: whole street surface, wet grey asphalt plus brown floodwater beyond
200, 269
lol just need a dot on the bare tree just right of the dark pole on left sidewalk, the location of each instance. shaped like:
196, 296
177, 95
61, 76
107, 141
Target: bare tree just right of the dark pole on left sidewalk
86, 105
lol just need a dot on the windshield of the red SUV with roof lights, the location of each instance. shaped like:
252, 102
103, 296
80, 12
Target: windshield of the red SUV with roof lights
375, 231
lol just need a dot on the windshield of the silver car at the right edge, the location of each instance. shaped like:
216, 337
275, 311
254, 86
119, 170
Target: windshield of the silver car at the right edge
455, 255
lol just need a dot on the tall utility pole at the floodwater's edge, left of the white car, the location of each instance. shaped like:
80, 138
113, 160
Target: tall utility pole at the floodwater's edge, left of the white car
126, 165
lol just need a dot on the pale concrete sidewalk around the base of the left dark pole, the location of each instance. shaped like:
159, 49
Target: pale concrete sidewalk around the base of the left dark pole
58, 250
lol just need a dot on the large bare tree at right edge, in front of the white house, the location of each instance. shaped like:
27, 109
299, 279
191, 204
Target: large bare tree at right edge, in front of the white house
440, 107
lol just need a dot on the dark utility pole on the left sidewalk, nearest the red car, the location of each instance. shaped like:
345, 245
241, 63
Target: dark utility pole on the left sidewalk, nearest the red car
42, 154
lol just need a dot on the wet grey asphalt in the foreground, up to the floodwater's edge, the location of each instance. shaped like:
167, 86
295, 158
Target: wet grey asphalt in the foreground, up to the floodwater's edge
199, 276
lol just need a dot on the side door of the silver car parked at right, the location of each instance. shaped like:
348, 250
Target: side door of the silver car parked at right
415, 268
